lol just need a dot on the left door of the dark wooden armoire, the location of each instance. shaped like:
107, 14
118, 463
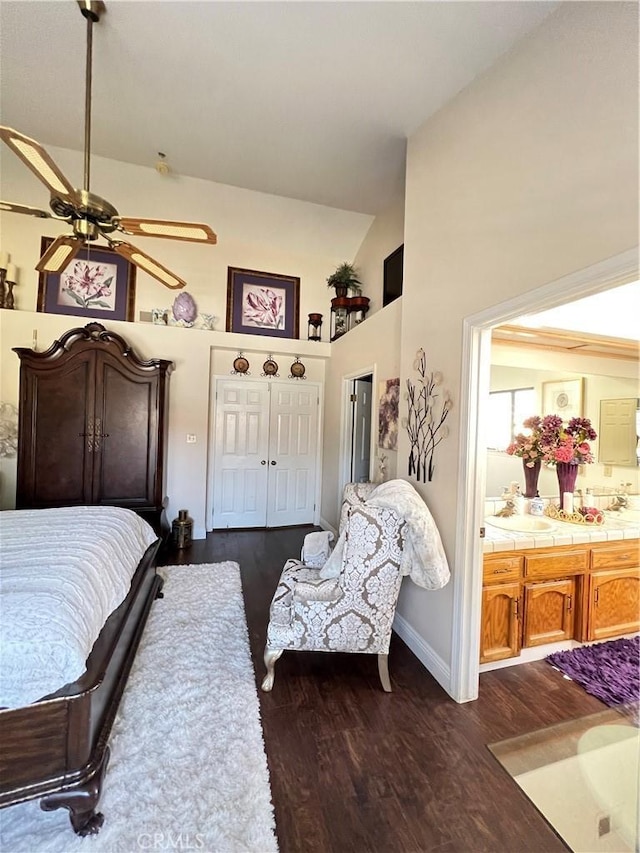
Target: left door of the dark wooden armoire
56, 446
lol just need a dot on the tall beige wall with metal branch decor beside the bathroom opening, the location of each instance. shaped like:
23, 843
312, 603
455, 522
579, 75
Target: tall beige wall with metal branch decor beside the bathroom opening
529, 174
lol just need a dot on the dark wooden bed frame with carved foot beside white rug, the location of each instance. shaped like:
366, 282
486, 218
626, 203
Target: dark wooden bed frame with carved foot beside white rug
56, 748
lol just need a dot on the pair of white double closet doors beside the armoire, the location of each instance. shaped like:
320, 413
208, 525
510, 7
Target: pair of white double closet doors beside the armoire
265, 454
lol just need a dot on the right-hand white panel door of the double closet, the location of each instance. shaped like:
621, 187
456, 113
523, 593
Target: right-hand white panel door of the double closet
293, 437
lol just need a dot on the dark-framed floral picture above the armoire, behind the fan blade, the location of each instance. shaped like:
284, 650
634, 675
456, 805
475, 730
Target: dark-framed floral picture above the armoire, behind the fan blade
96, 283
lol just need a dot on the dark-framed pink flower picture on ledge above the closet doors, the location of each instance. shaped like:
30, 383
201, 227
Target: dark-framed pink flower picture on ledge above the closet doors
262, 303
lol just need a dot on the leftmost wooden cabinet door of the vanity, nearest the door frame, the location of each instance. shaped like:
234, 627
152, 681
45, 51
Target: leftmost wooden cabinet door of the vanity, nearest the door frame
500, 622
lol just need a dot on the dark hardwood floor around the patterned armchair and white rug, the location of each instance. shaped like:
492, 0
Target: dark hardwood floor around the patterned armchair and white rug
356, 769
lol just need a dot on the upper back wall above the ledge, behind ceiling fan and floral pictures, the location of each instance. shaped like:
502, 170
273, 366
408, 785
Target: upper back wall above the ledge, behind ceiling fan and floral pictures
255, 231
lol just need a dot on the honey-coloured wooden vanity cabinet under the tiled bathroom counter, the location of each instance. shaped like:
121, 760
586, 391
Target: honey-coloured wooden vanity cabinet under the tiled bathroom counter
537, 596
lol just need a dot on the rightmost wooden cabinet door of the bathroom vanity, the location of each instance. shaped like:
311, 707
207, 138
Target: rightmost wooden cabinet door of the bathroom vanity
614, 603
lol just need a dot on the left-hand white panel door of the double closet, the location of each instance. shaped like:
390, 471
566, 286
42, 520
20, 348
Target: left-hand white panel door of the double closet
241, 454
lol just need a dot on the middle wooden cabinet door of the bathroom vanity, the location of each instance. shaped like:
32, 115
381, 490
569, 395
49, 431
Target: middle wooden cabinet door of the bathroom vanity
548, 612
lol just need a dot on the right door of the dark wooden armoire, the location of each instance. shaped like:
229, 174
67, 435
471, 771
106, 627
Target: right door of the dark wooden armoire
126, 413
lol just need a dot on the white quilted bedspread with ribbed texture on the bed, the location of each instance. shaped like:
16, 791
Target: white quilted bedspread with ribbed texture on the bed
62, 572
